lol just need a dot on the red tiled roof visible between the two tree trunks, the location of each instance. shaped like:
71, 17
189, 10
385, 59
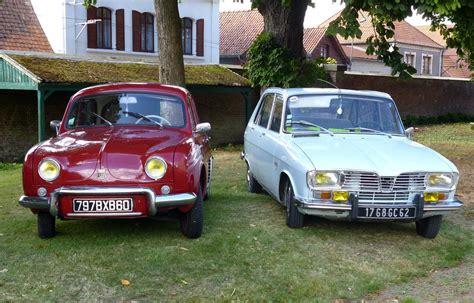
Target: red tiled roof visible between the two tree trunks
238, 30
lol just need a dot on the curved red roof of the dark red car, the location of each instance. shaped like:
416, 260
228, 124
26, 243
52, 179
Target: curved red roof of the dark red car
131, 86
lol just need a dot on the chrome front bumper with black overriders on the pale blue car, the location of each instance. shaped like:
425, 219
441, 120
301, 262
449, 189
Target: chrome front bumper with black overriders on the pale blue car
349, 210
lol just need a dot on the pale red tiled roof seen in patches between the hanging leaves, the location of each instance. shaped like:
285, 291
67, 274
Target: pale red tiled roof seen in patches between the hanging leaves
404, 32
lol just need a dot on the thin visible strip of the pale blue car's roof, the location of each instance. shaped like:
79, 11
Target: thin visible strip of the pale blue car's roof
286, 92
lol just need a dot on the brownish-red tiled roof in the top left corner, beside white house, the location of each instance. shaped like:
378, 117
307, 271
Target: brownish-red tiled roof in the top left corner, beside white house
20, 28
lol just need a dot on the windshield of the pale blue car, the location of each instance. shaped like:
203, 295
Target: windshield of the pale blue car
344, 113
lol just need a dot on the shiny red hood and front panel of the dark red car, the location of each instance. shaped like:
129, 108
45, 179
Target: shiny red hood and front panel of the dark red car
119, 153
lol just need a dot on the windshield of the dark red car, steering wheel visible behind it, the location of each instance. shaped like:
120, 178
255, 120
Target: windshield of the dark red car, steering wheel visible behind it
127, 109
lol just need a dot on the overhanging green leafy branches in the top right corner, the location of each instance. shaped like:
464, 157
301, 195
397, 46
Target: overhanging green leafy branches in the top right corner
384, 13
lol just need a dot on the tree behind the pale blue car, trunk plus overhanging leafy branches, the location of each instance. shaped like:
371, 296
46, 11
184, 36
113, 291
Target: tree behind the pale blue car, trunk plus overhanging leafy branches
284, 20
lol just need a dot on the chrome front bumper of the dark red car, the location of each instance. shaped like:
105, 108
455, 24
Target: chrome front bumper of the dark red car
50, 203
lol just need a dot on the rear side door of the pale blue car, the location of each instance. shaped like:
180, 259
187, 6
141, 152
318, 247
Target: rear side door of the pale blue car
256, 152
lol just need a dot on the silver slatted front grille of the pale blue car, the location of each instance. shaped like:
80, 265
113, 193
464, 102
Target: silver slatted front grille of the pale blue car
371, 182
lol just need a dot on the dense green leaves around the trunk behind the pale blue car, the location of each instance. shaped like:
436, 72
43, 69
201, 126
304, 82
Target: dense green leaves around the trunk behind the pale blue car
269, 64
